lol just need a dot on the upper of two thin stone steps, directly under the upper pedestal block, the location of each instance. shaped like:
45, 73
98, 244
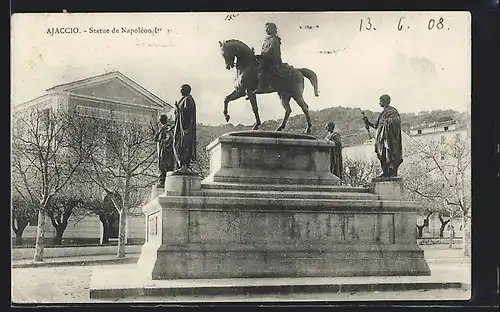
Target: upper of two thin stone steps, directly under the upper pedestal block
283, 187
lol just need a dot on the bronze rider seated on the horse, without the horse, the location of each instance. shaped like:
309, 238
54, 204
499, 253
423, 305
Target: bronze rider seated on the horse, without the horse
270, 59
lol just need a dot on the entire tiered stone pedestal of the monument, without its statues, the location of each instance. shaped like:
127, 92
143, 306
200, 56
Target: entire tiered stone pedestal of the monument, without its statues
271, 208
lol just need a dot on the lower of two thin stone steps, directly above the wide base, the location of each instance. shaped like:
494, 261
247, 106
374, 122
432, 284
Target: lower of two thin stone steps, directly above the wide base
288, 194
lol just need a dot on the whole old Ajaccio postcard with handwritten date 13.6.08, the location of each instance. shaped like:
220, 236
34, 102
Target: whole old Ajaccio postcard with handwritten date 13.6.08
241, 156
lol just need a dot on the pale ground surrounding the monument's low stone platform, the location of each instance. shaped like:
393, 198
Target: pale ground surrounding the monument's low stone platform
70, 283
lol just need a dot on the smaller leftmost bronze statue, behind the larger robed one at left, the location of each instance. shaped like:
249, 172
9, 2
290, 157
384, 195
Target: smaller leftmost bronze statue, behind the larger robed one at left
164, 138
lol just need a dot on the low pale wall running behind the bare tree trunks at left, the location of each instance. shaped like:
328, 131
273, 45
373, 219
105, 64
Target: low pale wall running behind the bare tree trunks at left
28, 253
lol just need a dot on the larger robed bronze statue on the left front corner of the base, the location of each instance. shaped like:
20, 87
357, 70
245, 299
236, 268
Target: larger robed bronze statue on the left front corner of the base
185, 129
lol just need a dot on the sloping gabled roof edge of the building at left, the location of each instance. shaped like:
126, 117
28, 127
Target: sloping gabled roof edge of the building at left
67, 87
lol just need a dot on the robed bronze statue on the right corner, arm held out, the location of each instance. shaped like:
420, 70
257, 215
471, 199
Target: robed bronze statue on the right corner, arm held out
388, 145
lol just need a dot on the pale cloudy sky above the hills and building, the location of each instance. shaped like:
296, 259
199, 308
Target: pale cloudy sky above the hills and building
420, 68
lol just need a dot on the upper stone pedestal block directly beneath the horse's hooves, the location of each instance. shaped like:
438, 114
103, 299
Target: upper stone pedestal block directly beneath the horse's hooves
270, 158
